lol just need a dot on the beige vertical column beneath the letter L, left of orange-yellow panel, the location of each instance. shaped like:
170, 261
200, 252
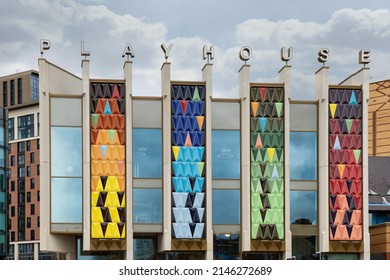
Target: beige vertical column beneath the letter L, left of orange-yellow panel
86, 157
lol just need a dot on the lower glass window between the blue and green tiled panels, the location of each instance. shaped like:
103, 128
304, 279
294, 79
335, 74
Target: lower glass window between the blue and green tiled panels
226, 207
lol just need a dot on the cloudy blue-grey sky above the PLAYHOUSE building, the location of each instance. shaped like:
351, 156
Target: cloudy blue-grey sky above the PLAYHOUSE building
342, 26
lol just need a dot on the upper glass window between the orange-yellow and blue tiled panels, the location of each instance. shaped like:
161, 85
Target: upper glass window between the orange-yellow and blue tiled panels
147, 153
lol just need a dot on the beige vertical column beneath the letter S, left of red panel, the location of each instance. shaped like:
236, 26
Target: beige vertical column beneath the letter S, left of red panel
322, 90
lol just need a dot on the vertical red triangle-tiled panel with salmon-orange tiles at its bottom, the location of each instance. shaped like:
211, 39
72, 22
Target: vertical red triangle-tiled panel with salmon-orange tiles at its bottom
345, 164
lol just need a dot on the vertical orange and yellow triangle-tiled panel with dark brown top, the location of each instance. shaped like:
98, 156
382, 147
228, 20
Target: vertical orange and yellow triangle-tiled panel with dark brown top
107, 161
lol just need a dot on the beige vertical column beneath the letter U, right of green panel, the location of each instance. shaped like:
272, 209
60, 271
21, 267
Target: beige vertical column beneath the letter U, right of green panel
285, 77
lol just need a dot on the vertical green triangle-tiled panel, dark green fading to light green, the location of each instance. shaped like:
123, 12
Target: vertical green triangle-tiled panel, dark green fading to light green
267, 163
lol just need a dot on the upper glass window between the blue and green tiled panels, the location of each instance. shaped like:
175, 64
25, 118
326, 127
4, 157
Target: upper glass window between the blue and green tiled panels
226, 154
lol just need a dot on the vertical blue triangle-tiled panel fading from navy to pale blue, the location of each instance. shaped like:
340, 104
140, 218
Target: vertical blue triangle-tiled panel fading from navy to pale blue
188, 161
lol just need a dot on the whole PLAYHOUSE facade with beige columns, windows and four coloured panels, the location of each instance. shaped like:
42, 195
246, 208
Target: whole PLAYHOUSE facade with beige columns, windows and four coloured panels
189, 176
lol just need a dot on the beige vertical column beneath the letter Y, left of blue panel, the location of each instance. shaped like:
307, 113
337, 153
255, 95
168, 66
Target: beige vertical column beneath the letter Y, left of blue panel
165, 240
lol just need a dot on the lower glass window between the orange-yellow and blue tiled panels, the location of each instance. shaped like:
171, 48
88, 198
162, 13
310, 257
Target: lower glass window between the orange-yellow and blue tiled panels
147, 206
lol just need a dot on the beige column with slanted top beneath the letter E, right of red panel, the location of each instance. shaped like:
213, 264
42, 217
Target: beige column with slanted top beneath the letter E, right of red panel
362, 78
